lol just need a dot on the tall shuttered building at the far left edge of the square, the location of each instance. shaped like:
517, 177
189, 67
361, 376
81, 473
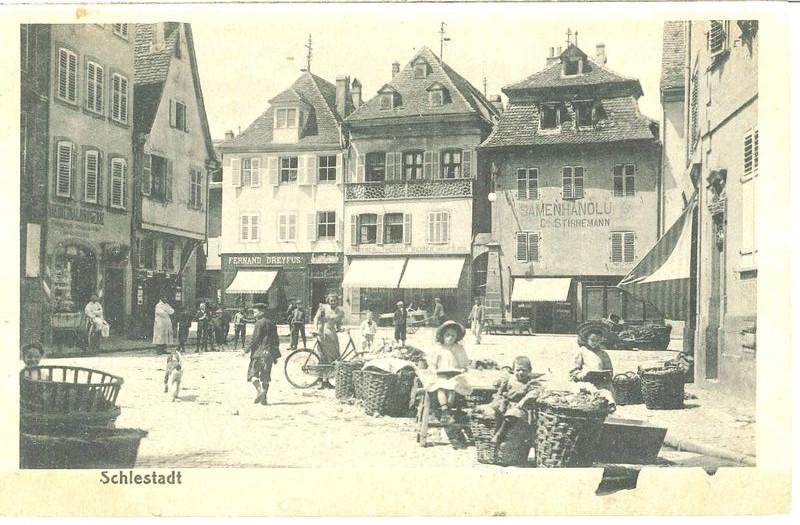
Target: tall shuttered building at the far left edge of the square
76, 173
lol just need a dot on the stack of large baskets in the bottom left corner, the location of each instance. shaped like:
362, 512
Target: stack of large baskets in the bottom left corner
67, 419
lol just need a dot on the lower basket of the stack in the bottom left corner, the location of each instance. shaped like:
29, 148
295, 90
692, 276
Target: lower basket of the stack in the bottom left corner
93, 449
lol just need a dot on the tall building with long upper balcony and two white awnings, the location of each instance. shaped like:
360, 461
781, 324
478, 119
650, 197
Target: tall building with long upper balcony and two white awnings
415, 194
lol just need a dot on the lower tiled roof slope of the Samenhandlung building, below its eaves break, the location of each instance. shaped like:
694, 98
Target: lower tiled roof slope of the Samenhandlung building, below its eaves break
619, 120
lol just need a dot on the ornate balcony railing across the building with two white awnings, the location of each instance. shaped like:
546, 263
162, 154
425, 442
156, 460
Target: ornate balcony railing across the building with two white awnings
417, 189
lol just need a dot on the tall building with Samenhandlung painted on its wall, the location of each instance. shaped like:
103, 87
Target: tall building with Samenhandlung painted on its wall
575, 170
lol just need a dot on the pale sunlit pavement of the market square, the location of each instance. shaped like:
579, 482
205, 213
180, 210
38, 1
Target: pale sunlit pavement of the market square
215, 422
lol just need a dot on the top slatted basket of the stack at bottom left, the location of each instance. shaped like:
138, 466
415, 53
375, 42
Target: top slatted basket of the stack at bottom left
68, 390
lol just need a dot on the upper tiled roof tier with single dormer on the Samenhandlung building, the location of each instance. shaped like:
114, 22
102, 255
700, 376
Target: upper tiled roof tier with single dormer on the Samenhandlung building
550, 77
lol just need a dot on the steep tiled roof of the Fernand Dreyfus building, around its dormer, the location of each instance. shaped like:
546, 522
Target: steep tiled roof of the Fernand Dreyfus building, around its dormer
322, 128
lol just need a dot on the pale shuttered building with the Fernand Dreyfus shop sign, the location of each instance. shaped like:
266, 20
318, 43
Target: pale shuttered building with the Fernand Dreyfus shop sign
282, 229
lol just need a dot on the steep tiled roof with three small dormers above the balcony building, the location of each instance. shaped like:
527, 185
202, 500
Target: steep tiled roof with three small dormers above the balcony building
463, 97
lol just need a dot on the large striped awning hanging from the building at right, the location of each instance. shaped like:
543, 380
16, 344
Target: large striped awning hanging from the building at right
663, 276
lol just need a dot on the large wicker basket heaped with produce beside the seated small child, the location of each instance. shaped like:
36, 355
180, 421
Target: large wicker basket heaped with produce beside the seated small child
568, 428
